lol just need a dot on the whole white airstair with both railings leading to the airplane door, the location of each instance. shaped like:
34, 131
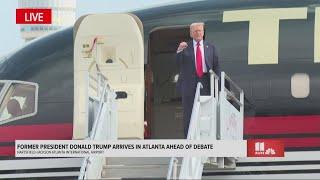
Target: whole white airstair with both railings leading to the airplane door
214, 117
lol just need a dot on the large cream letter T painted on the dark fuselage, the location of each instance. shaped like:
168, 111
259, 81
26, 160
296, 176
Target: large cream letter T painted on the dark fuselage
264, 30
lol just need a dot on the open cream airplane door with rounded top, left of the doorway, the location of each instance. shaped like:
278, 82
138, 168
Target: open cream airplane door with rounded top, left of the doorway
115, 43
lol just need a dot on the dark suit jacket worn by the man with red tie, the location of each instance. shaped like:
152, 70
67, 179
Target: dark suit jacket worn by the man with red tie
185, 59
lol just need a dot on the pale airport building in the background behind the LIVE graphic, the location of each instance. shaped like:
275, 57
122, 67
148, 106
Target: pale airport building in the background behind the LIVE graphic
63, 15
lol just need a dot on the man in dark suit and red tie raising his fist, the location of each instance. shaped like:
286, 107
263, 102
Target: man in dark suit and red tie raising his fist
195, 59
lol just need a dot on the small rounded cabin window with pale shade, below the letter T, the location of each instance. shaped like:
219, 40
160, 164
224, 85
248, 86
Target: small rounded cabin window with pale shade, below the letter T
300, 85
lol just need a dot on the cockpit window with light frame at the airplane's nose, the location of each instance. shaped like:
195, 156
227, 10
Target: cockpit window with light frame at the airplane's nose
18, 102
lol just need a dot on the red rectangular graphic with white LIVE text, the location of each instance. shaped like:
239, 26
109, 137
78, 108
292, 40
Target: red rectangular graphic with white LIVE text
33, 16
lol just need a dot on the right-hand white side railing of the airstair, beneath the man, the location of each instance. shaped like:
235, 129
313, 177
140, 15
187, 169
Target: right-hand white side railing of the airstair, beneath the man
213, 117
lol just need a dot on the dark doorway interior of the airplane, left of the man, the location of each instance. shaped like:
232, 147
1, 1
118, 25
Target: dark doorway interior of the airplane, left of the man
164, 112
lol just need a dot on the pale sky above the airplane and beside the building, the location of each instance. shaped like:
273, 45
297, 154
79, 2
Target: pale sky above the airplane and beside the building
10, 37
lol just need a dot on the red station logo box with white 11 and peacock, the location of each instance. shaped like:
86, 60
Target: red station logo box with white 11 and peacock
265, 148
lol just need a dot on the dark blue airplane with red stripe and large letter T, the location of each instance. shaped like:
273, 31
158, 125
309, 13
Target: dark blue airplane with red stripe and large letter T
270, 48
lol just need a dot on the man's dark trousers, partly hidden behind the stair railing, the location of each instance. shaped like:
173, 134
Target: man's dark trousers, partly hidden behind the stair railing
187, 101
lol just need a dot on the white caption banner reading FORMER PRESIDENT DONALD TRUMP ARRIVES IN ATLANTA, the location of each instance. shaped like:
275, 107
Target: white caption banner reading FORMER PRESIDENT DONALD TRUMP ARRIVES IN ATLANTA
130, 148
